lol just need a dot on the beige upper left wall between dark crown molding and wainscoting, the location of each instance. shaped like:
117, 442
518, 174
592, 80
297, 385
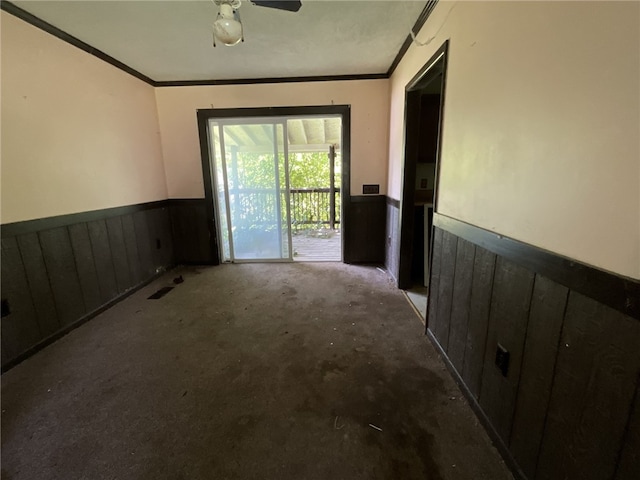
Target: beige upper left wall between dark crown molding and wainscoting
77, 133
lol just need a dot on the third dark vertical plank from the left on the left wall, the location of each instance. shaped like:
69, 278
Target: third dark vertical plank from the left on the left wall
63, 275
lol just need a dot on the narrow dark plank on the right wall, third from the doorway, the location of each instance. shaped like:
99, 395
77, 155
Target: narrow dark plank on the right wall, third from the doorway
460, 307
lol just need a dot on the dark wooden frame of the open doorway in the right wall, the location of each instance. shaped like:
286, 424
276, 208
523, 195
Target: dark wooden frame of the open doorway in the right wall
437, 64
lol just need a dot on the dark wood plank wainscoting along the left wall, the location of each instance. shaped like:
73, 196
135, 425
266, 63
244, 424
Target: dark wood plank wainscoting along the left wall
60, 271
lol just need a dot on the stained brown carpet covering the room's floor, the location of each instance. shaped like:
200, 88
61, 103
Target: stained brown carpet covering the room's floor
251, 371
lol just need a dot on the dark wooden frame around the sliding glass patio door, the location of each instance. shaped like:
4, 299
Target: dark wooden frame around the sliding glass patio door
203, 117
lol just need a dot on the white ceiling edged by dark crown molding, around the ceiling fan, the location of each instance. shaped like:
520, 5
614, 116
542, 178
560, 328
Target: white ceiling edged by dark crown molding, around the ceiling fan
172, 41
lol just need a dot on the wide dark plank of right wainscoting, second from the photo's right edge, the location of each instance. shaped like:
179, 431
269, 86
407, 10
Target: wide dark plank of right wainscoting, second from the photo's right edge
595, 380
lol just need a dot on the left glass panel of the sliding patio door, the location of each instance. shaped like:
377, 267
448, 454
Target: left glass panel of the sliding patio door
251, 187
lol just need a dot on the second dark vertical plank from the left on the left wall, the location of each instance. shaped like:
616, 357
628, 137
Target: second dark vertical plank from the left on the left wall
39, 285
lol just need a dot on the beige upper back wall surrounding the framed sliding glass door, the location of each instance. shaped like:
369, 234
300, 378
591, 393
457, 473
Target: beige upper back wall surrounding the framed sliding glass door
369, 100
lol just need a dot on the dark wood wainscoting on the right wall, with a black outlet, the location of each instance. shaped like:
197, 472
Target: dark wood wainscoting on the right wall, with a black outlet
565, 405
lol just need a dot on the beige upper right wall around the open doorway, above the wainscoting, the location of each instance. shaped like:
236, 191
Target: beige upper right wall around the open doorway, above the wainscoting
542, 114
